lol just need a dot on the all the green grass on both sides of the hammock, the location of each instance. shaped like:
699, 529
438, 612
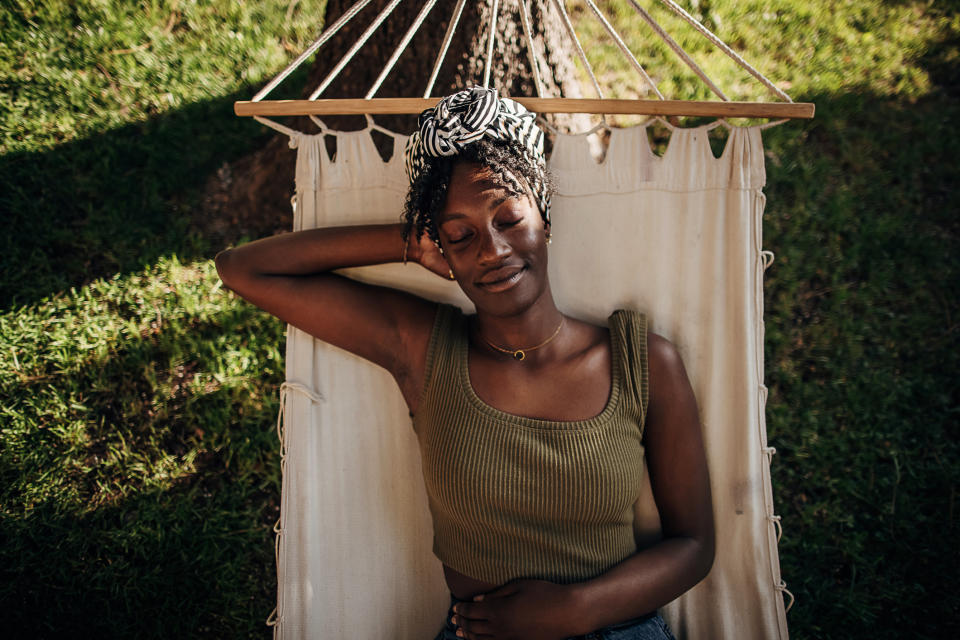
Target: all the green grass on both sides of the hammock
138, 457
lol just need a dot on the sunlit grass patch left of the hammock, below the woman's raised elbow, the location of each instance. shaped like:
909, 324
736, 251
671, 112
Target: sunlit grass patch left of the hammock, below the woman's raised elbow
127, 382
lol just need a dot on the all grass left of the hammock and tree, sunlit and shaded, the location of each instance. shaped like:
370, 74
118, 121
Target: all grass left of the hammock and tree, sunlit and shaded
138, 456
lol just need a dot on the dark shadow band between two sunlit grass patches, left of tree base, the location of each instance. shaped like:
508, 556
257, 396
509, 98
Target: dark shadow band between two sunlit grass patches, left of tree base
116, 201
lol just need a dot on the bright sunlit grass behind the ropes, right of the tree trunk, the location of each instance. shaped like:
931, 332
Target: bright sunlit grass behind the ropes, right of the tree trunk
805, 48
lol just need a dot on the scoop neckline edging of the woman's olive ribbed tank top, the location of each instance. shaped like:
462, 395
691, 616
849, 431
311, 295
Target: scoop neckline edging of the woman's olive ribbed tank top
529, 422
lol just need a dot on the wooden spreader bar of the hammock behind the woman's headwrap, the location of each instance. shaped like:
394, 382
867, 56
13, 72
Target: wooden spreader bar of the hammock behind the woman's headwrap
707, 108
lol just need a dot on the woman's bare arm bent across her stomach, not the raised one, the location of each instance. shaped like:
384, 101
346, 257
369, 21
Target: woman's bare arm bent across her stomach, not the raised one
653, 577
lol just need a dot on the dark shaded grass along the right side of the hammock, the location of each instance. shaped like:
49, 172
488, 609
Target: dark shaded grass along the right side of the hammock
861, 337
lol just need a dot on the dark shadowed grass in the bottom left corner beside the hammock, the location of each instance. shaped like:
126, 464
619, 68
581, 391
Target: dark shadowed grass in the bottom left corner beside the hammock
160, 564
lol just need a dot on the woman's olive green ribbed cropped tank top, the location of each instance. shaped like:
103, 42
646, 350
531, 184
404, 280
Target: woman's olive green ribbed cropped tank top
518, 497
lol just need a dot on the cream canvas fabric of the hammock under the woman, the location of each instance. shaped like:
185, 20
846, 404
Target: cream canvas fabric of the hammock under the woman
677, 237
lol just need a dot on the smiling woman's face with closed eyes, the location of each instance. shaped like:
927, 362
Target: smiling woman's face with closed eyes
495, 242
